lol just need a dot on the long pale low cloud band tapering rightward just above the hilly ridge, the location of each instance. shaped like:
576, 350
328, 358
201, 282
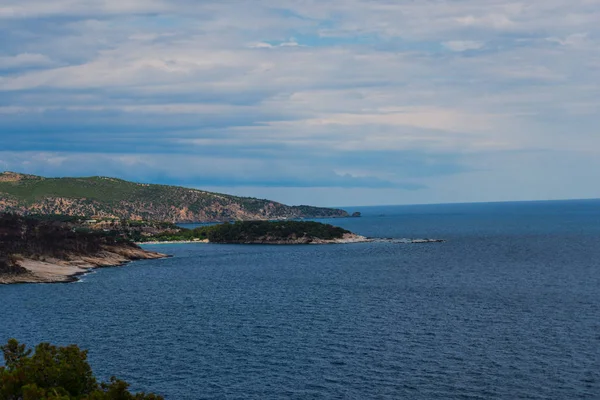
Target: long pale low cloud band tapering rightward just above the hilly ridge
197, 171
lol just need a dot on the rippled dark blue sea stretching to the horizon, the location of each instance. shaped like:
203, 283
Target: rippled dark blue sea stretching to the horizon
507, 308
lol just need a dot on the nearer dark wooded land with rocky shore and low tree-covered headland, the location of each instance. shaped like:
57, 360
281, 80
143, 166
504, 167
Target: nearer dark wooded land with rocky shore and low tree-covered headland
58, 248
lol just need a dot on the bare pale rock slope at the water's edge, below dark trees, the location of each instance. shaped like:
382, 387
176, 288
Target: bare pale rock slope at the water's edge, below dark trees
52, 270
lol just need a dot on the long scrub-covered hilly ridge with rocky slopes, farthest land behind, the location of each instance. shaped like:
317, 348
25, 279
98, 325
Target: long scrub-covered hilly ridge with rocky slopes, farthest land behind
105, 197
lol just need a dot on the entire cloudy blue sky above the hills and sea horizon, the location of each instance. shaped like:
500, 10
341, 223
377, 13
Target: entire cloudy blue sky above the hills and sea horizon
333, 103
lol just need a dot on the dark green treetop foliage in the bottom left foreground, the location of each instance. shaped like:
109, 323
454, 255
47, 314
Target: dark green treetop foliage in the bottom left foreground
56, 373
